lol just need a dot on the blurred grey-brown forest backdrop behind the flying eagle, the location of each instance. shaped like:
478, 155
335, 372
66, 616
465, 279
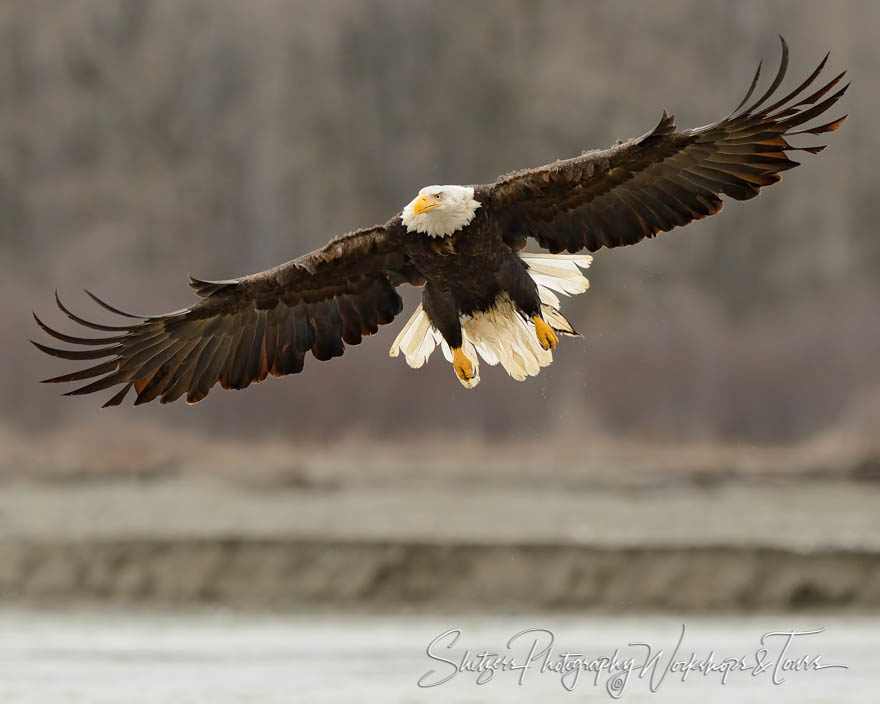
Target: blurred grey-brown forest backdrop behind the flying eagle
143, 141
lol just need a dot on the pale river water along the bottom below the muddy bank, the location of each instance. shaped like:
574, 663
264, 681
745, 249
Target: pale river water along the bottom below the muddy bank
217, 657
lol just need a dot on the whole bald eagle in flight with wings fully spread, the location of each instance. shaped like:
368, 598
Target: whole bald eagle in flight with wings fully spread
483, 297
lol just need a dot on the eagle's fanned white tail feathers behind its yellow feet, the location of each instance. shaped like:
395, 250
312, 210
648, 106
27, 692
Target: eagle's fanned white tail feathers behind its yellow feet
502, 334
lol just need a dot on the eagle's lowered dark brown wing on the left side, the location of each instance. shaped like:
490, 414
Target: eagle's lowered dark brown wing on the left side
245, 329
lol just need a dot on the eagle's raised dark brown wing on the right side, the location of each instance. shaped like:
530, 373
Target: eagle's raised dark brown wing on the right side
663, 179
